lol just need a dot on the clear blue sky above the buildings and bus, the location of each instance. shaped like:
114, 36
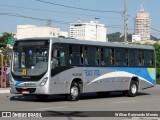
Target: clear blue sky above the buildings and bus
64, 12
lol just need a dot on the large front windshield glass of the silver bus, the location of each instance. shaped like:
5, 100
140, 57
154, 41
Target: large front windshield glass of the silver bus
30, 61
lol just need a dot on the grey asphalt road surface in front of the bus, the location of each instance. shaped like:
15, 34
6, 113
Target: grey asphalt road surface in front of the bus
146, 100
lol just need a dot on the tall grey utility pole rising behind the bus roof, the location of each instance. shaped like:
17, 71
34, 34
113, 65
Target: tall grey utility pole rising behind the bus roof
125, 21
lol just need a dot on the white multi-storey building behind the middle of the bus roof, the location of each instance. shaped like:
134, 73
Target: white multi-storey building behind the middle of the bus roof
88, 31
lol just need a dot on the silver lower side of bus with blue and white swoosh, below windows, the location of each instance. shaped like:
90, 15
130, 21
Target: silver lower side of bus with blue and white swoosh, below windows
96, 79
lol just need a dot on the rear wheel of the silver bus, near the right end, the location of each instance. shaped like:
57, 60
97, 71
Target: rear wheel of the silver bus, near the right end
133, 89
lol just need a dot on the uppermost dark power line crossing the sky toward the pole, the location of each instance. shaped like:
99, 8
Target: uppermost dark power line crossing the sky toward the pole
71, 7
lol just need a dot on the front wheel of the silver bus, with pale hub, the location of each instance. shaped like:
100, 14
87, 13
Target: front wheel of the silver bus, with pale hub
74, 92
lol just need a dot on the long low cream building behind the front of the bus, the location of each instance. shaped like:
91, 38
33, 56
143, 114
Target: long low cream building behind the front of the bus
30, 31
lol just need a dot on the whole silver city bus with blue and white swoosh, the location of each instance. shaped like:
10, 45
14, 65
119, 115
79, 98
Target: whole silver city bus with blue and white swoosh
49, 66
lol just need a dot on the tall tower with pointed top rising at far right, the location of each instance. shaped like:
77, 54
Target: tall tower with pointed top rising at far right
142, 25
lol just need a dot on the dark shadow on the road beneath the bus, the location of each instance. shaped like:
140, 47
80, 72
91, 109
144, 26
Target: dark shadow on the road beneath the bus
60, 98
